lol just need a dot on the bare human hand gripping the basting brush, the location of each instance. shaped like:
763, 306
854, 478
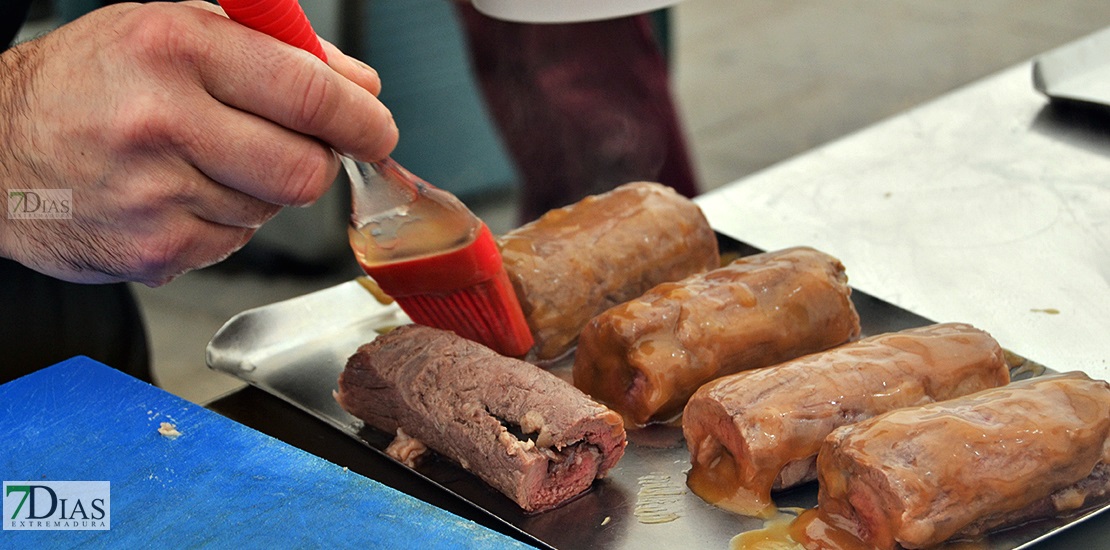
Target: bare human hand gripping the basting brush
179, 134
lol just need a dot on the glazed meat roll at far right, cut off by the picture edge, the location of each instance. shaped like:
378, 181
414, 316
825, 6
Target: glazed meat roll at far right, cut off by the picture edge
919, 477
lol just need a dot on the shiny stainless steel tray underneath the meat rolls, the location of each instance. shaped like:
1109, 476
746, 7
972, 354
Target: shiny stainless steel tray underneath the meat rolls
297, 349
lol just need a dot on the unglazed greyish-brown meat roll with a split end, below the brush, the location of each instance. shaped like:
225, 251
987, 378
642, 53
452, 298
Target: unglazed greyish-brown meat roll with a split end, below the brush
527, 433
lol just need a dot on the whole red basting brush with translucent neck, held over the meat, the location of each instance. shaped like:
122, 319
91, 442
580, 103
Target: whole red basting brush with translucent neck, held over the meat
421, 245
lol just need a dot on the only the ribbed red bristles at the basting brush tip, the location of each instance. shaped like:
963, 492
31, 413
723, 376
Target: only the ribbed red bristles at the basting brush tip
488, 314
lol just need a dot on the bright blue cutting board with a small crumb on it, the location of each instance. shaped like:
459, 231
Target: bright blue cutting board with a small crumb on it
219, 485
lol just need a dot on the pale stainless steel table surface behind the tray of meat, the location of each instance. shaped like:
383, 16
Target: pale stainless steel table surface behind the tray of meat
990, 206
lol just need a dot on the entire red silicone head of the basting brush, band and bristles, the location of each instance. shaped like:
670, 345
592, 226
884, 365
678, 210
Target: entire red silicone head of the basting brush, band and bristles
467, 292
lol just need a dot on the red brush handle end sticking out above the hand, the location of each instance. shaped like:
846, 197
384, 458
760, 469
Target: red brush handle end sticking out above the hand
282, 19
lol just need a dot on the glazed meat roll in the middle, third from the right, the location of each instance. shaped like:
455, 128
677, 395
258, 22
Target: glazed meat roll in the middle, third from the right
648, 356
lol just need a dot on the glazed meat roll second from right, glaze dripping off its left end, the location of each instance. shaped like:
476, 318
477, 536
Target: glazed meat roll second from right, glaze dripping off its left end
760, 431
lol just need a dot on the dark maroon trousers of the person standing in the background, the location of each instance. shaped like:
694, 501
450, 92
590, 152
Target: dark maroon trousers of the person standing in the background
582, 107
